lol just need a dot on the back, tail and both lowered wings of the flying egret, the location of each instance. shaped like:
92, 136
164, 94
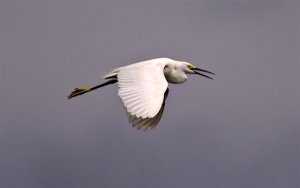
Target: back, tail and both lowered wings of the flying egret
143, 91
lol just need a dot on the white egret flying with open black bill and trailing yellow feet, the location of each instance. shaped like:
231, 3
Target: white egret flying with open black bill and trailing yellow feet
143, 87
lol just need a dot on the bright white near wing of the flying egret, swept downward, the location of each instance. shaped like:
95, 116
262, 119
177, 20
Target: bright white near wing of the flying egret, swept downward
141, 89
